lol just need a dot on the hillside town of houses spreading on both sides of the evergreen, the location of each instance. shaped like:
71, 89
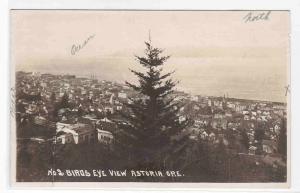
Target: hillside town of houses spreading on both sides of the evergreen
66, 109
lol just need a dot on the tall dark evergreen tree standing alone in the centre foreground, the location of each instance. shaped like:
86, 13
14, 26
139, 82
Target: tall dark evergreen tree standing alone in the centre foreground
154, 131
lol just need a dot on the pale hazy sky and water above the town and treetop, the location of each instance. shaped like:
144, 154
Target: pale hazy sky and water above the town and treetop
212, 52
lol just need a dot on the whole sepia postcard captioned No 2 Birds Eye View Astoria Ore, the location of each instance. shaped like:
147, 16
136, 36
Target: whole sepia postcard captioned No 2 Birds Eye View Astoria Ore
150, 96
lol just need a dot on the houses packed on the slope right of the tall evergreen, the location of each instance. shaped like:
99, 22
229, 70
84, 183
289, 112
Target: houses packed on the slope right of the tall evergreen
214, 116
